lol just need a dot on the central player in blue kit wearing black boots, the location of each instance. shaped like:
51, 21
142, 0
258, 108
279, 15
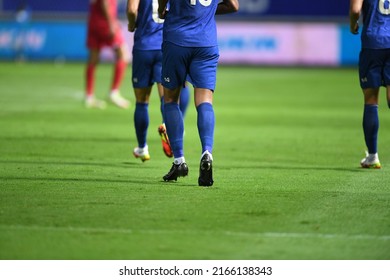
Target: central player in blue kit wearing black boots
190, 48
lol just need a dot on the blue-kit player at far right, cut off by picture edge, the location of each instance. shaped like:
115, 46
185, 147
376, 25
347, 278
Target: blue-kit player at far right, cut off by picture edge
374, 66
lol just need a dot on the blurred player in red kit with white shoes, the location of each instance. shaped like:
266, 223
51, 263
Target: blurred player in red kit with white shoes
104, 31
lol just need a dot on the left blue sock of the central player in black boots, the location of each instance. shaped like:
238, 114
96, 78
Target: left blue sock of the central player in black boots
175, 127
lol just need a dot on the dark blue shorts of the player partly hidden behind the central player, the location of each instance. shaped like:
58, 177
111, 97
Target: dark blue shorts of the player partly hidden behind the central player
142, 69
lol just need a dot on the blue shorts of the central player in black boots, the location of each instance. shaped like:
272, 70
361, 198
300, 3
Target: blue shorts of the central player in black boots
196, 64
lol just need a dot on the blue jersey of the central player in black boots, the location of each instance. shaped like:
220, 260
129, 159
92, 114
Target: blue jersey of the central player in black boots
191, 23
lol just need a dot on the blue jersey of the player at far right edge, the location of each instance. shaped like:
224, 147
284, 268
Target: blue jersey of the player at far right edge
376, 24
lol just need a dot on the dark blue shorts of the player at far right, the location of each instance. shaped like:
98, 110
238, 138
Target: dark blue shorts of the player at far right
374, 68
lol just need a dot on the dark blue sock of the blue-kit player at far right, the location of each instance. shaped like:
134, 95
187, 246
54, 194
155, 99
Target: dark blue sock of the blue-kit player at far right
371, 127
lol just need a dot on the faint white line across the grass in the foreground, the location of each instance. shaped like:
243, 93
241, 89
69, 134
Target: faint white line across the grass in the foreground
230, 233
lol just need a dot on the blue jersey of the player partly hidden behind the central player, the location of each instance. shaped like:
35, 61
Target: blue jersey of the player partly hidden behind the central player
148, 35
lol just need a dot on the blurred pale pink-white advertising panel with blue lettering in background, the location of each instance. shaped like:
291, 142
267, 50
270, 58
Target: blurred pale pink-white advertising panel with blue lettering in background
278, 43
